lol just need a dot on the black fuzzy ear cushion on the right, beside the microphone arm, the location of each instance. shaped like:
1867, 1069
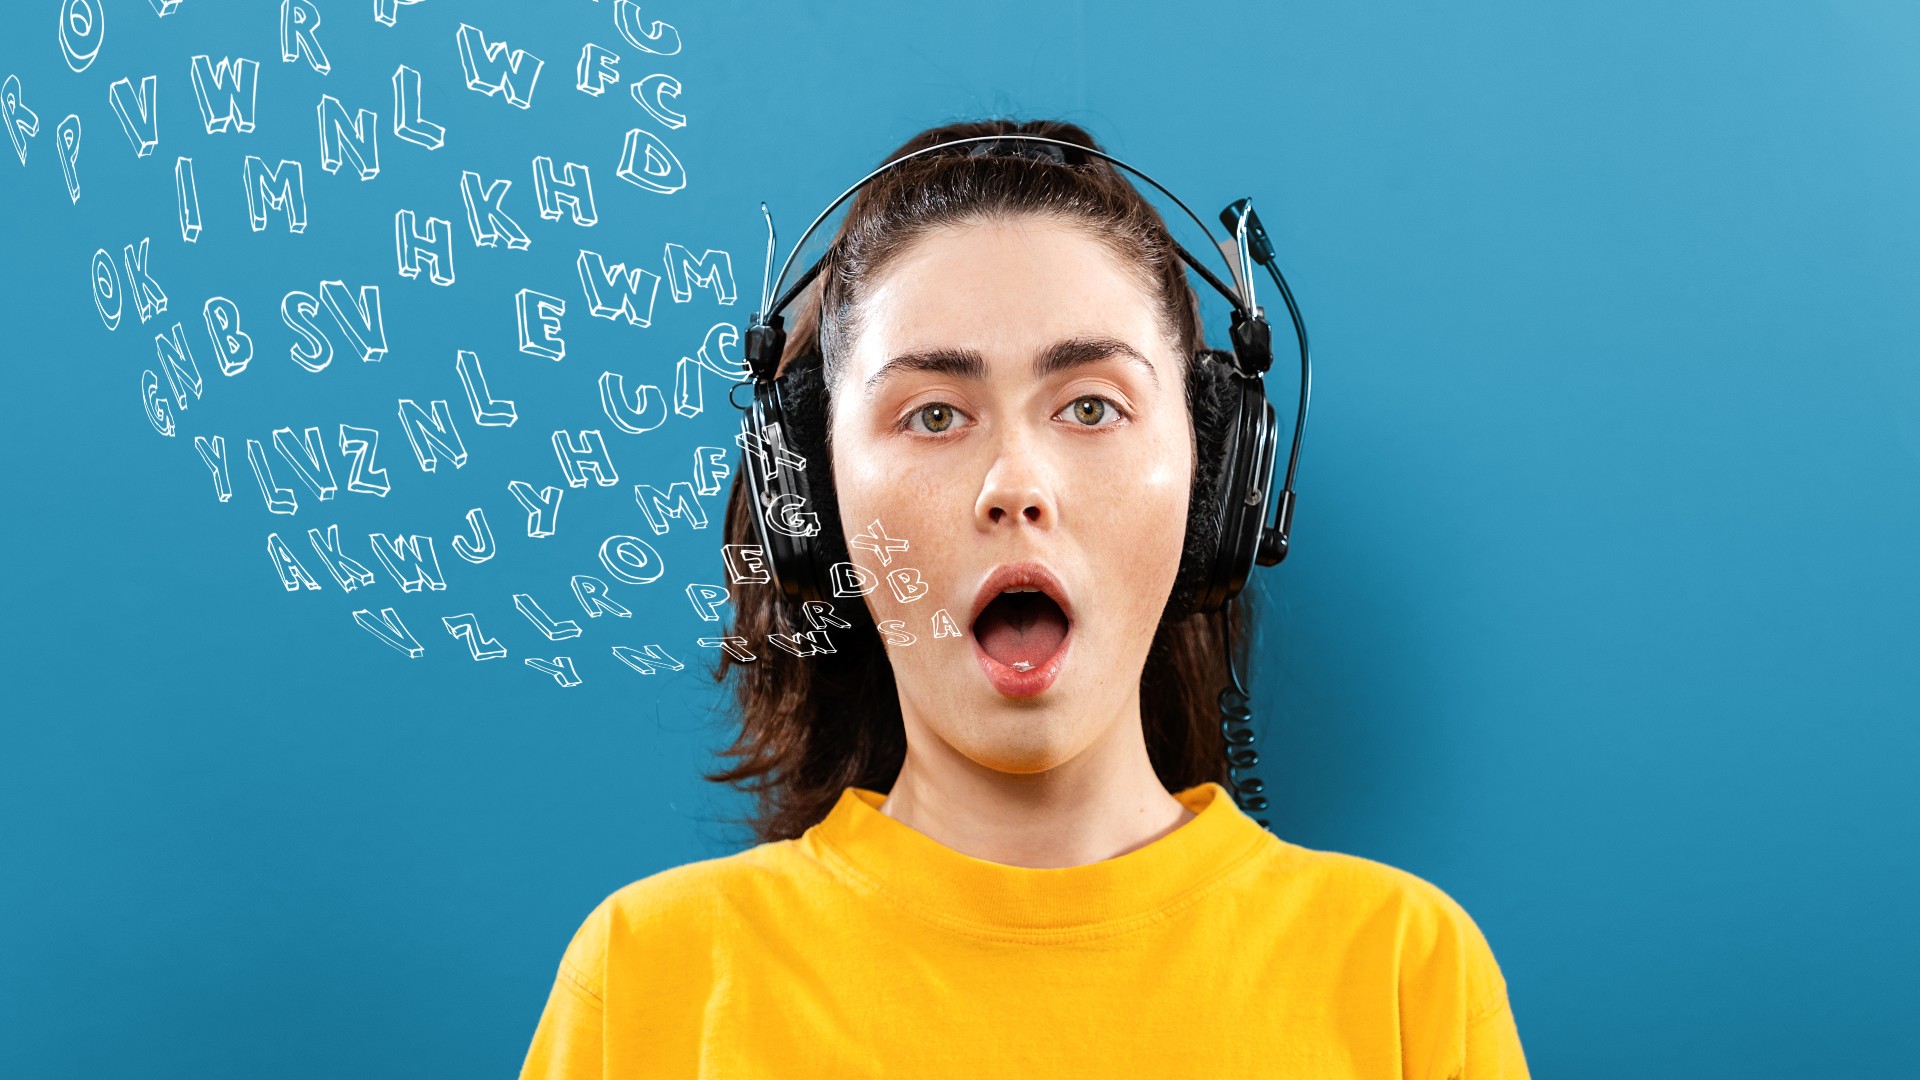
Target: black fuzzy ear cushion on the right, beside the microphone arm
1214, 401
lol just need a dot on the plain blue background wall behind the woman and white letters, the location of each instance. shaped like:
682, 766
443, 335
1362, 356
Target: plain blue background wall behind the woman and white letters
1602, 608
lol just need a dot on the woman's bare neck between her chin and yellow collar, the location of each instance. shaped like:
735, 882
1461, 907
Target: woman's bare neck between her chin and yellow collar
1097, 806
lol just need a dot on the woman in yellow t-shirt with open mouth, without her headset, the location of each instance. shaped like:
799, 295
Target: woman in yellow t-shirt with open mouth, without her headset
994, 831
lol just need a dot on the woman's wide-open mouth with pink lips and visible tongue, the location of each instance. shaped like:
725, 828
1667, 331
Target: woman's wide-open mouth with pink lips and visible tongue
1022, 627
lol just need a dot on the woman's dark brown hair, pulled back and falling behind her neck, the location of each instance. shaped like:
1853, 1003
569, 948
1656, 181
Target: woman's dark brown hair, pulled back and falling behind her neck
817, 725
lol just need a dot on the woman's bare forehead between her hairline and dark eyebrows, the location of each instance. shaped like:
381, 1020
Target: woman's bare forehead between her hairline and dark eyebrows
1003, 287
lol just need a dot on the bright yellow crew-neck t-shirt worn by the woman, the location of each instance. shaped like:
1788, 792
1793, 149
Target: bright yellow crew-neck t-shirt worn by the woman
869, 950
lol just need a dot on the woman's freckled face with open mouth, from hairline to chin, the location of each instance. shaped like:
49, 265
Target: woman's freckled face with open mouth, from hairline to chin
1009, 397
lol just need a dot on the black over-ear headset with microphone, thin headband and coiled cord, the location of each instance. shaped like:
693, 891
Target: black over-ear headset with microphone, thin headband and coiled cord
790, 476
